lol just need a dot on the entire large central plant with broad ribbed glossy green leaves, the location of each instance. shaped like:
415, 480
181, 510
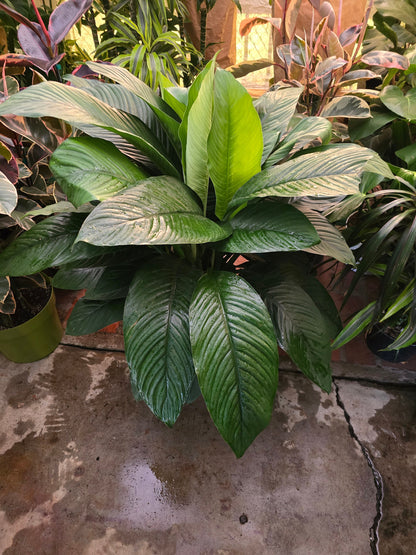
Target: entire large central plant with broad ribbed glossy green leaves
168, 193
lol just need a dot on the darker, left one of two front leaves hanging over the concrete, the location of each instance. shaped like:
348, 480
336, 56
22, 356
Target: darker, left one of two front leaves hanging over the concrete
156, 334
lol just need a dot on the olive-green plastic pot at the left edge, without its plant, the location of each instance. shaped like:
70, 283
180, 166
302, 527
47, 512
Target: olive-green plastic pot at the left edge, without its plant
34, 339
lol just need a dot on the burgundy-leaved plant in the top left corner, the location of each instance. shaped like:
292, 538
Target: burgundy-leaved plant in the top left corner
40, 43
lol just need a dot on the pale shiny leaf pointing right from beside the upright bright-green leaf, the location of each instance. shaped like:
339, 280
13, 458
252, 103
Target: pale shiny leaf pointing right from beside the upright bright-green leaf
330, 172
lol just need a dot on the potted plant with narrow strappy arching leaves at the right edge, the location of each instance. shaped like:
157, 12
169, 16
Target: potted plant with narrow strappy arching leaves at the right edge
384, 234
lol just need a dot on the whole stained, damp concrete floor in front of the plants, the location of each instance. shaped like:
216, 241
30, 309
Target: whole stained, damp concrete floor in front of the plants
84, 469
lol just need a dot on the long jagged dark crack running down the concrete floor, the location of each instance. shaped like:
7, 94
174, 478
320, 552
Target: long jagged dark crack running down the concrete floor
377, 477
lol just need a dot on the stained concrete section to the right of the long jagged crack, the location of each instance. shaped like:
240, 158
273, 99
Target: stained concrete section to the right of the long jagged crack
384, 419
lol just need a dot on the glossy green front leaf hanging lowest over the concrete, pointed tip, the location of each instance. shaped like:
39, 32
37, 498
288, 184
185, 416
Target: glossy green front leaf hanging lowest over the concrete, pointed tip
235, 356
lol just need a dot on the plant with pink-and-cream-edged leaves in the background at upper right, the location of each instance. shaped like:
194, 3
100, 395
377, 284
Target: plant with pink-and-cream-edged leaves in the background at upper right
322, 62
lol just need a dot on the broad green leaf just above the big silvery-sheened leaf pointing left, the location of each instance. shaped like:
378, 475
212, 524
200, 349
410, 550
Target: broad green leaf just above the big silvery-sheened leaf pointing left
92, 169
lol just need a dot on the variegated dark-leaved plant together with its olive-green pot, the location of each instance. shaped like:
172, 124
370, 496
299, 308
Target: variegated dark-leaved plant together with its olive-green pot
29, 325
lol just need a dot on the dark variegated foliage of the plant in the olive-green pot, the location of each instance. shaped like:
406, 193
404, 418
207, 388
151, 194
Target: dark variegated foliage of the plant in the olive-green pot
26, 185
